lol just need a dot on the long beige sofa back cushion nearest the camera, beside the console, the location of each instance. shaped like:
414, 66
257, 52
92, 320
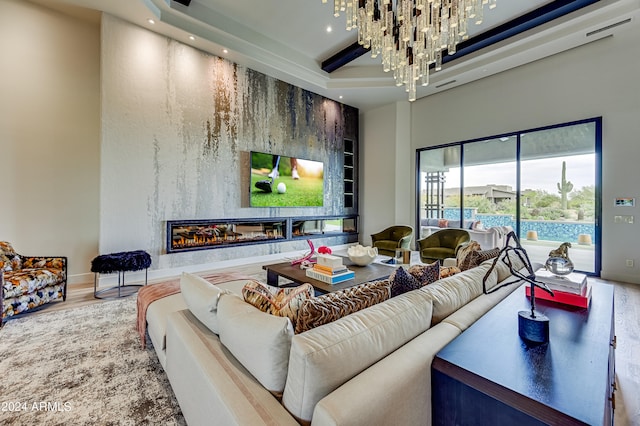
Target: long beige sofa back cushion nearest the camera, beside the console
324, 358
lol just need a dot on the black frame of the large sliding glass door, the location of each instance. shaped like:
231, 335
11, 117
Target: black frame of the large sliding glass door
518, 135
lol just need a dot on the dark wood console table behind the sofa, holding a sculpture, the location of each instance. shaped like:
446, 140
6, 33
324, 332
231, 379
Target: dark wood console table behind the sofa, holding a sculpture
488, 376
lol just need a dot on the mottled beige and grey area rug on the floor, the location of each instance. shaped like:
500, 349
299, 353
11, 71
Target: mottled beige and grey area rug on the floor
82, 366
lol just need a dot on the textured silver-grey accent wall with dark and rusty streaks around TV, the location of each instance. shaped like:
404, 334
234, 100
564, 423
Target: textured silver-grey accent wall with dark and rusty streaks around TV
178, 125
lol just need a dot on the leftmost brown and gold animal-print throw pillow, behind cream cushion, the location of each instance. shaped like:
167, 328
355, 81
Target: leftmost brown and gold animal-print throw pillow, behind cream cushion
281, 302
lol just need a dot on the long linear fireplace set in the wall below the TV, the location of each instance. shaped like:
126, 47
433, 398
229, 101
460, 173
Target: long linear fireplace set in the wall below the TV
188, 235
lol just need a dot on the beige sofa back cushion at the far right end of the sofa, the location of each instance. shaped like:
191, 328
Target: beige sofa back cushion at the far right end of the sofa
451, 293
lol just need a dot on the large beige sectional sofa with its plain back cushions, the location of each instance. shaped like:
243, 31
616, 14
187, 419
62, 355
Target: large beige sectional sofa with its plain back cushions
230, 363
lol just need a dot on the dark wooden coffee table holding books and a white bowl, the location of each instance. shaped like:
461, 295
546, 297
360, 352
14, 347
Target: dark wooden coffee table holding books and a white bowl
372, 272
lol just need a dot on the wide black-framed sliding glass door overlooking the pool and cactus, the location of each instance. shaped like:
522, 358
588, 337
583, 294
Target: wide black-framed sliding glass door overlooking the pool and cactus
542, 183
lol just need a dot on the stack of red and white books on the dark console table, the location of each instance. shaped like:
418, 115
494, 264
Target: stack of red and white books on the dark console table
572, 289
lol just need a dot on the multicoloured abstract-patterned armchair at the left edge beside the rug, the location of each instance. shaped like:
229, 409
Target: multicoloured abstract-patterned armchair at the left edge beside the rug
28, 282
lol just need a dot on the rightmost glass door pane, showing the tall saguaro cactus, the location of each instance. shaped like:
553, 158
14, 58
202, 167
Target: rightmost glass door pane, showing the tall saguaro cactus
558, 198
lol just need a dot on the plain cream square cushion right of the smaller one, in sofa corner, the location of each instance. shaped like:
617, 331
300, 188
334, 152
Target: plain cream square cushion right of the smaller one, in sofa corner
260, 341
